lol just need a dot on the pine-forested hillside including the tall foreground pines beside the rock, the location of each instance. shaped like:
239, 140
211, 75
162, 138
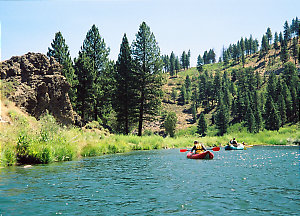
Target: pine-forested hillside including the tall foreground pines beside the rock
254, 84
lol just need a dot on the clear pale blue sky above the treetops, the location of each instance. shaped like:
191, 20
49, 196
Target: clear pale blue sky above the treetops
178, 25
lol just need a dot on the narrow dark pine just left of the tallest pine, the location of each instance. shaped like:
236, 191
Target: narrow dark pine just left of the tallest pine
124, 94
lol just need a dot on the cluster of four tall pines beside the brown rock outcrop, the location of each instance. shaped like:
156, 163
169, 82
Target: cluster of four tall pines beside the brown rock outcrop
119, 94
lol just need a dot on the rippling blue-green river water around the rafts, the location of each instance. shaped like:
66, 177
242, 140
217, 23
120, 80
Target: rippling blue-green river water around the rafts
258, 181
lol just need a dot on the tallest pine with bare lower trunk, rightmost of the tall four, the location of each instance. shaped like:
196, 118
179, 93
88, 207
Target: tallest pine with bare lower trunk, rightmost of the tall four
147, 66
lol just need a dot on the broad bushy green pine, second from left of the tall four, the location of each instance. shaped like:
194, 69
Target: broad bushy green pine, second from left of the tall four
94, 71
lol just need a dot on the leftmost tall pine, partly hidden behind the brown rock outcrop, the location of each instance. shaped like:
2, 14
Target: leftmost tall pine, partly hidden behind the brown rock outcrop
60, 52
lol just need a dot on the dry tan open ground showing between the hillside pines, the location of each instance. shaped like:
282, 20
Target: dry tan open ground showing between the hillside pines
263, 65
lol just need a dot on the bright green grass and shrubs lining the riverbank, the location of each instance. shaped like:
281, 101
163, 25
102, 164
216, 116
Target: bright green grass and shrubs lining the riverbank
25, 140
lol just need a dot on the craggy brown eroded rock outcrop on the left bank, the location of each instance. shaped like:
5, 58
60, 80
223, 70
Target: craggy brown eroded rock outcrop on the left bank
38, 86
